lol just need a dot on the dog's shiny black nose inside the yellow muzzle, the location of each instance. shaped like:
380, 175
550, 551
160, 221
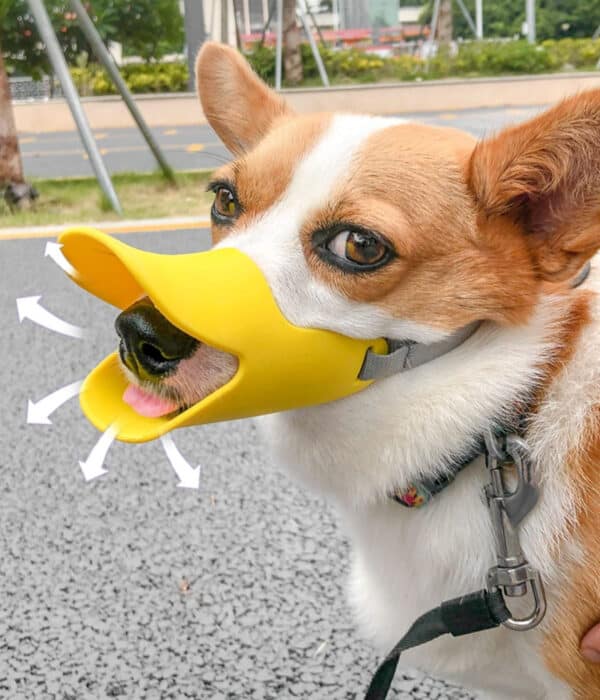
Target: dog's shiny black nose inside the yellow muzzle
151, 346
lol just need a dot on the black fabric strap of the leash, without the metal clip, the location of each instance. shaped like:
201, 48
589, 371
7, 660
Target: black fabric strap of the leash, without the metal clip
470, 613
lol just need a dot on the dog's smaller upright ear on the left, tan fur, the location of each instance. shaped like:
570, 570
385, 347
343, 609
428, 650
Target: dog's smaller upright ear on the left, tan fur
237, 104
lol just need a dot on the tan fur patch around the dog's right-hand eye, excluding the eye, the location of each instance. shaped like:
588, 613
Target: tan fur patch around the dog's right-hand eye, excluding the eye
408, 185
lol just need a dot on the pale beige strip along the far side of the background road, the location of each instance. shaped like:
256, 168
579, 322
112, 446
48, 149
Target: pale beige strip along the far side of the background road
394, 98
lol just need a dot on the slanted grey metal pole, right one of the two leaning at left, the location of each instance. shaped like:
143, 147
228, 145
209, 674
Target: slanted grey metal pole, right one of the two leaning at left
102, 54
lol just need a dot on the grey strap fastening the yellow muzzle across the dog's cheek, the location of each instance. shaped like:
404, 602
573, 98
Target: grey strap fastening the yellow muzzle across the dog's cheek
404, 355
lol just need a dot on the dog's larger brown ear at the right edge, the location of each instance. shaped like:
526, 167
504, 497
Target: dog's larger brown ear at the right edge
544, 175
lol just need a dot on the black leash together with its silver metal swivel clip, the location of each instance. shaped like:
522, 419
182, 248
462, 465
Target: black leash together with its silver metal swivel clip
512, 576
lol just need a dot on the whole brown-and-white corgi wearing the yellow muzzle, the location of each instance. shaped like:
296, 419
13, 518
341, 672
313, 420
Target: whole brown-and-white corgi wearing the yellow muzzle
379, 227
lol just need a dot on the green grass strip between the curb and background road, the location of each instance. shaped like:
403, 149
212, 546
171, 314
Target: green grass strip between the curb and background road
79, 200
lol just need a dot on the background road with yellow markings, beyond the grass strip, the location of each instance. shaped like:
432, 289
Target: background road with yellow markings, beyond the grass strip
188, 148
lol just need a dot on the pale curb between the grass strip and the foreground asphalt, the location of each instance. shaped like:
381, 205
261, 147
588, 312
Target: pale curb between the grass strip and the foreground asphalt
112, 227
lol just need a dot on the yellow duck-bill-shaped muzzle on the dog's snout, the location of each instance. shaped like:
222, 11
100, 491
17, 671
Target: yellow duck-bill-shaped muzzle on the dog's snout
221, 298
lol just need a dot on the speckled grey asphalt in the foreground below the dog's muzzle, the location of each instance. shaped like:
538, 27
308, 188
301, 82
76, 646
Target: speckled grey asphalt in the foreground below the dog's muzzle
94, 602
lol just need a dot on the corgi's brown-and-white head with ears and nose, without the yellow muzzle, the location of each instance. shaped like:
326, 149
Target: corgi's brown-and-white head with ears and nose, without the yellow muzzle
377, 227
